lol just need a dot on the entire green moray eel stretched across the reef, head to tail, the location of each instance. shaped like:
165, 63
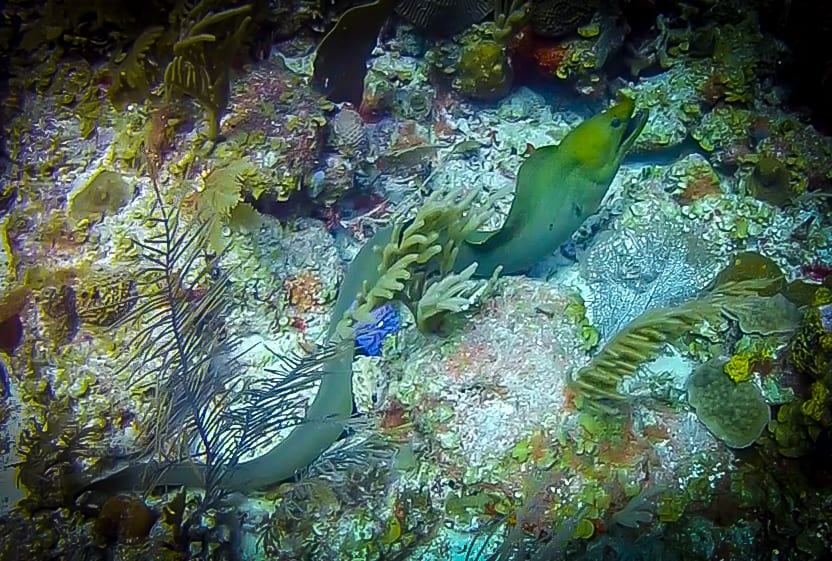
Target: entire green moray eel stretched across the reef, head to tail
558, 187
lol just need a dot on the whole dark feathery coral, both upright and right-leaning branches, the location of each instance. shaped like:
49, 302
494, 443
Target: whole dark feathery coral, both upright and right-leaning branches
202, 416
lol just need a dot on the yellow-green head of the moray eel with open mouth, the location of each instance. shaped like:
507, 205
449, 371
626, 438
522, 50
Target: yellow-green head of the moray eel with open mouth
600, 143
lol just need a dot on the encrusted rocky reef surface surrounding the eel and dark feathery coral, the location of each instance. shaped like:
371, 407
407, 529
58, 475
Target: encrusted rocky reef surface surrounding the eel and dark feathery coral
475, 440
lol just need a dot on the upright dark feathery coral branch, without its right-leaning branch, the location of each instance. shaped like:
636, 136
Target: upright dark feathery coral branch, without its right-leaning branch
182, 353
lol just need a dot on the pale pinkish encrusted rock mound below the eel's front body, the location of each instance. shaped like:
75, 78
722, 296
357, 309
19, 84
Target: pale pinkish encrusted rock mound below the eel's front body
475, 396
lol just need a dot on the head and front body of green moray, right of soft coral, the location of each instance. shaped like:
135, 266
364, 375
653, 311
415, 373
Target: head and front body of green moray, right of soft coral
558, 187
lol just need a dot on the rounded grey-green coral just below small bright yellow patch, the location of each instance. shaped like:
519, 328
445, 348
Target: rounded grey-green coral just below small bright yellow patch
736, 413
